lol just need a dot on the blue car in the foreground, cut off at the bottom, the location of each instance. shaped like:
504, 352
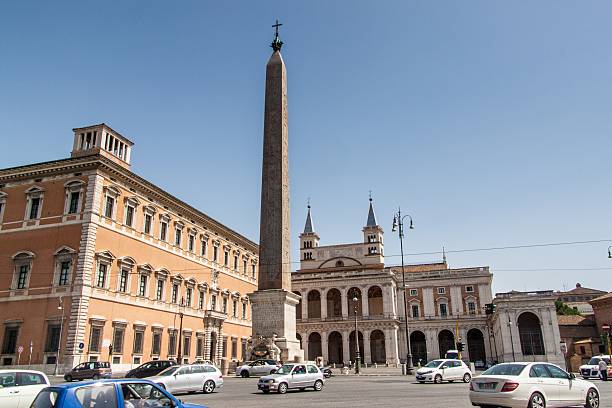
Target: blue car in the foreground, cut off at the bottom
123, 393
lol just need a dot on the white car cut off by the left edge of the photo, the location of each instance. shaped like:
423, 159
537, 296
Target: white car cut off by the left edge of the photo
18, 388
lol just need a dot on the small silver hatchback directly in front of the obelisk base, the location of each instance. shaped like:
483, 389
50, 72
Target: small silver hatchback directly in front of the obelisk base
293, 375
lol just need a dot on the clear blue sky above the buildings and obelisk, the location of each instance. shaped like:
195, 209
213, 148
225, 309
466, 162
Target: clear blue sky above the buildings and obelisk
489, 122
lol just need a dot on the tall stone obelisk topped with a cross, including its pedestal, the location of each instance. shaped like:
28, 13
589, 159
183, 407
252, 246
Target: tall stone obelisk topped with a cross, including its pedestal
273, 304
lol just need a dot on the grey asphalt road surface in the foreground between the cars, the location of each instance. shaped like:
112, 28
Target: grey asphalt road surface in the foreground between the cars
351, 392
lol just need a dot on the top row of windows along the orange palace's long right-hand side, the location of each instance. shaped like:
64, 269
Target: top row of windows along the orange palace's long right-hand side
163, 233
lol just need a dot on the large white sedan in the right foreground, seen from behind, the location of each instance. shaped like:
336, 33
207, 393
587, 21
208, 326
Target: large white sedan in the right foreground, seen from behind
536, 385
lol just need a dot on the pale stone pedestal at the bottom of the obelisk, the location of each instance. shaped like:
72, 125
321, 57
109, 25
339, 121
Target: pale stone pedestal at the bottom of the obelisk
273, 314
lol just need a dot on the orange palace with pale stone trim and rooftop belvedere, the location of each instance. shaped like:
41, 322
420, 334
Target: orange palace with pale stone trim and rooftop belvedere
97, 263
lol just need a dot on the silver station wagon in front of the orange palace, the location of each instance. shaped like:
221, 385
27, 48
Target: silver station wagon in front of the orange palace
189, 378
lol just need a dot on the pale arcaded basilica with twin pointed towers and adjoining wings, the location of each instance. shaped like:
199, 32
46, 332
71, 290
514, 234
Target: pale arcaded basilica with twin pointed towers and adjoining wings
352, 301
